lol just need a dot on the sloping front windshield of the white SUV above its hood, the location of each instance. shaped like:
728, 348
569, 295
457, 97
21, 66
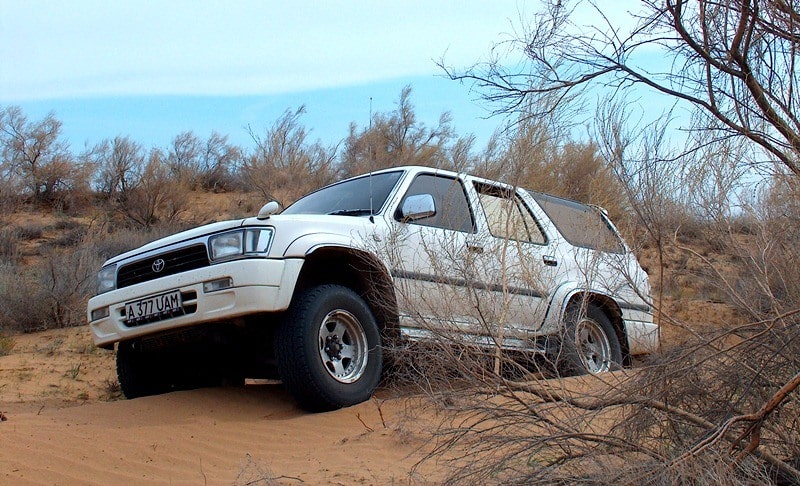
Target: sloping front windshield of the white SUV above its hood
355, 197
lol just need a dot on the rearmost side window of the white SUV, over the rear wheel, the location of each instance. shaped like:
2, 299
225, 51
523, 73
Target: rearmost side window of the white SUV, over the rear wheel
581, 225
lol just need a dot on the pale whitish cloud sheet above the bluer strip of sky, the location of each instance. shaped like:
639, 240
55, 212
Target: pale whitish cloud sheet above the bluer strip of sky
85, 48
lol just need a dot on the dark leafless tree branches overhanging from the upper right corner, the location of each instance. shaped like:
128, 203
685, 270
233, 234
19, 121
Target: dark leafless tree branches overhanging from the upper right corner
732, 60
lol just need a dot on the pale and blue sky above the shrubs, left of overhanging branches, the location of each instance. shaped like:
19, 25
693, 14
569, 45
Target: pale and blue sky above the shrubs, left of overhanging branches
153, 69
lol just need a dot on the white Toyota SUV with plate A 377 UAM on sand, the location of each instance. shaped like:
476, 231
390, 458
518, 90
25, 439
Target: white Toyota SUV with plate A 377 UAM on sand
313, 293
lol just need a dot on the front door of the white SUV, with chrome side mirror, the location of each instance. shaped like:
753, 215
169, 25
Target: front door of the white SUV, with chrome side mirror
432, 256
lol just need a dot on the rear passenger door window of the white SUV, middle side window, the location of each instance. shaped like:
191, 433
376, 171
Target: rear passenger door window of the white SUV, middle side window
507, 215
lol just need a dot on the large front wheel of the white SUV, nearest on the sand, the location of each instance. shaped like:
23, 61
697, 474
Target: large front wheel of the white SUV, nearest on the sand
328, 348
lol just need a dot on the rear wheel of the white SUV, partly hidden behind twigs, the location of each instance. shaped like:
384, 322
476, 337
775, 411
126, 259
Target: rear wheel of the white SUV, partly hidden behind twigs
590, 344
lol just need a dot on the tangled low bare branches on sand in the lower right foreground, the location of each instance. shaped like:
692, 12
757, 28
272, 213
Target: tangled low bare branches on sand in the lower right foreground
696, 415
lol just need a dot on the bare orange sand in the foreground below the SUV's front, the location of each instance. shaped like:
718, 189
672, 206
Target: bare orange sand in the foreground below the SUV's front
65, 424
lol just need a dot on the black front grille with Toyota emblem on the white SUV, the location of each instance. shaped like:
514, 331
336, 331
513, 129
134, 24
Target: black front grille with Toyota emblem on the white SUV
176, 261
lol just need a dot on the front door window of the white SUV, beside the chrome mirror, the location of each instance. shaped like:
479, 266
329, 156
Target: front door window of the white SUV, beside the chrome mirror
452, 208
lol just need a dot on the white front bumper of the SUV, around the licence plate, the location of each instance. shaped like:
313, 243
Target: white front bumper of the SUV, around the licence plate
259, 285
